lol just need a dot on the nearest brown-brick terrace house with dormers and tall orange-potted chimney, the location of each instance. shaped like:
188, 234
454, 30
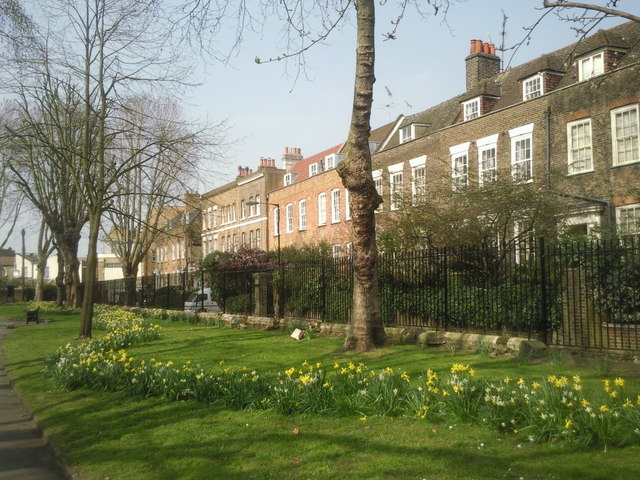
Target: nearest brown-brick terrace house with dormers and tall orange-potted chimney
567, 121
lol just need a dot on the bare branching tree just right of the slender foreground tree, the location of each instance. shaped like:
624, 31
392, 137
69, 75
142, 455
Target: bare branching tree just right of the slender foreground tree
160, 175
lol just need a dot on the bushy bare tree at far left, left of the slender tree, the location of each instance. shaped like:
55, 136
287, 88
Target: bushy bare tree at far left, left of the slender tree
44, 139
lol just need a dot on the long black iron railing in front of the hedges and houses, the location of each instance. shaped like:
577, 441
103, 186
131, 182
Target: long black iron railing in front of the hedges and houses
580, 294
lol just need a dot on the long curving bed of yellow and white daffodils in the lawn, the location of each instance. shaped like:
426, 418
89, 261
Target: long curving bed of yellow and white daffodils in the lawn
553, 409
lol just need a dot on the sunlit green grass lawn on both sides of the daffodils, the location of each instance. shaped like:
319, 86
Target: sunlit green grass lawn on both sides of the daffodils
107, 435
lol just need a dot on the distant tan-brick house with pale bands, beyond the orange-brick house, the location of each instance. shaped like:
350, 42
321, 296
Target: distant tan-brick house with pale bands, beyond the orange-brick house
235, 215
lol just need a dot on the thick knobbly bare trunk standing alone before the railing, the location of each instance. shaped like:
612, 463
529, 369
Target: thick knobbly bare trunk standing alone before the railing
366, 330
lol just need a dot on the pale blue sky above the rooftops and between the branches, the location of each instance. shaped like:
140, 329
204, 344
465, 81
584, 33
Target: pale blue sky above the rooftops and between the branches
267, 109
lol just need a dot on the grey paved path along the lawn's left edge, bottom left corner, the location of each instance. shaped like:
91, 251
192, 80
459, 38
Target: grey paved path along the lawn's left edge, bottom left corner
24, 453
